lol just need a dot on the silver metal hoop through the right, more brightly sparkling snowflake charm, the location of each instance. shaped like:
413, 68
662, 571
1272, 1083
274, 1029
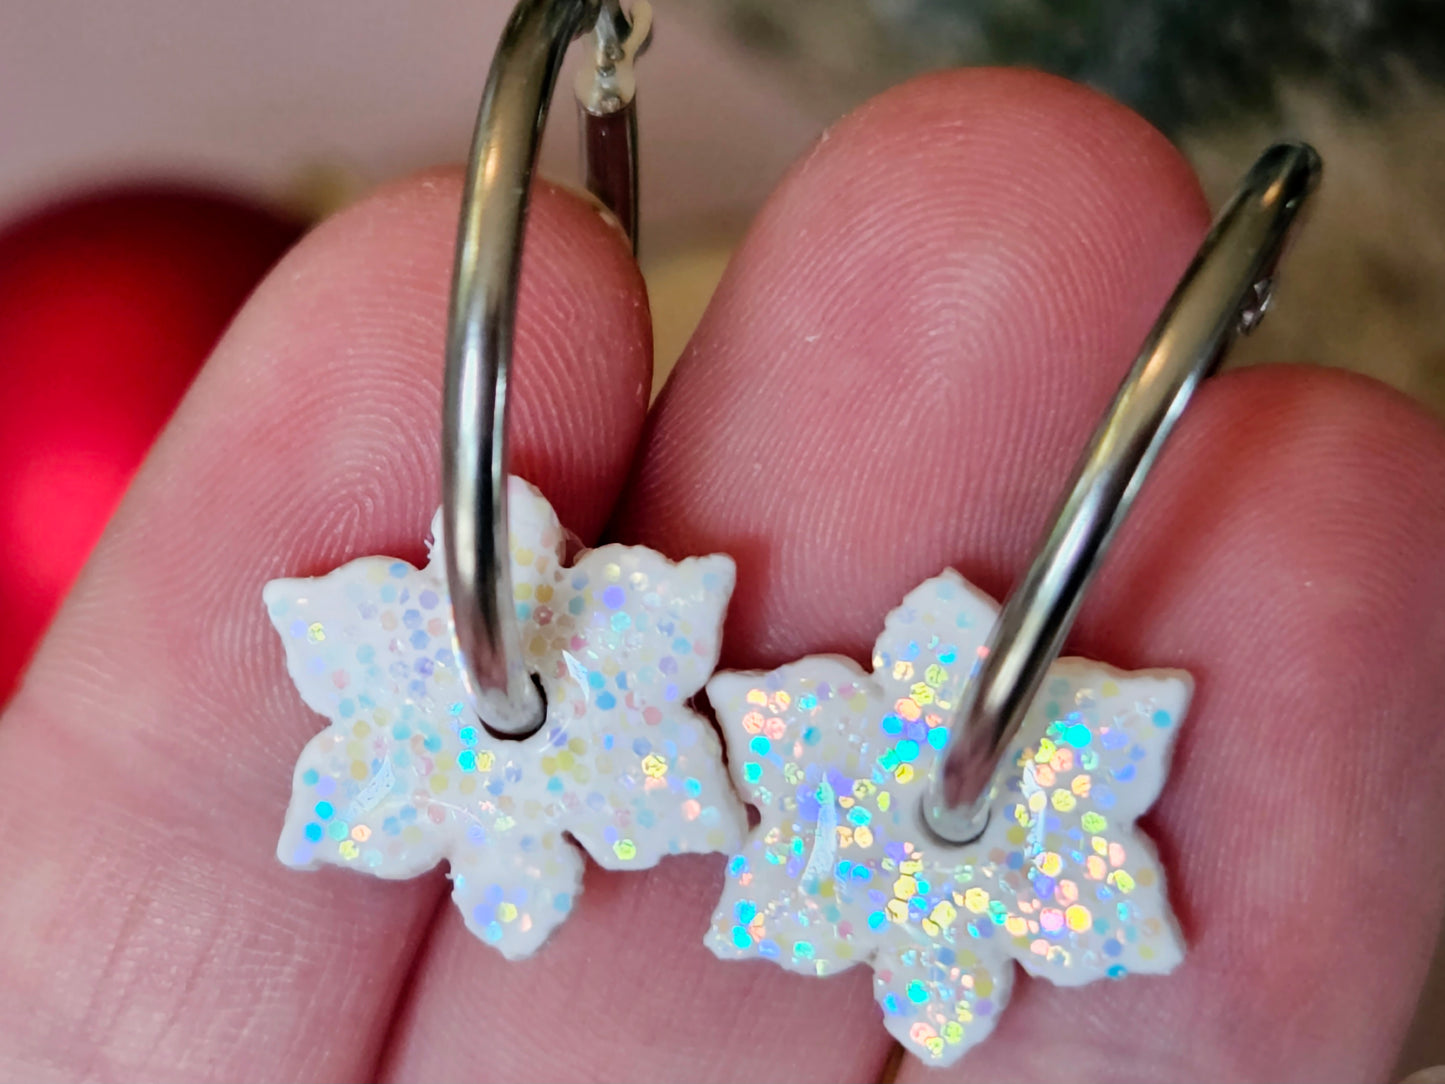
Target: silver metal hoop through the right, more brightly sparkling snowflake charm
1223, 294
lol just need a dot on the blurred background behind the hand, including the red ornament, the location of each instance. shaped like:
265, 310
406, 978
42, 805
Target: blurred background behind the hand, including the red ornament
158, 155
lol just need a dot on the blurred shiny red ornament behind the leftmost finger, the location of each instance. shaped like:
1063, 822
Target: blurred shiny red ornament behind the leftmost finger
109, 306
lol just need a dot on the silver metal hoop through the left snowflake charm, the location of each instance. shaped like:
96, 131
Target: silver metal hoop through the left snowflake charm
482, 324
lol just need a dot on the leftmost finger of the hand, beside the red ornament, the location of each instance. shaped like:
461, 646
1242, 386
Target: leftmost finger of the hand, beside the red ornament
147, 930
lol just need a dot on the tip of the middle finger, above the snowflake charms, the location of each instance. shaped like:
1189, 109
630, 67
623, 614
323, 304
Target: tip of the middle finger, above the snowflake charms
930, 314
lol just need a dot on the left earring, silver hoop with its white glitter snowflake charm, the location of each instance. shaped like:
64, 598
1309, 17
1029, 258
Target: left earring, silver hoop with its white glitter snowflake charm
486, 705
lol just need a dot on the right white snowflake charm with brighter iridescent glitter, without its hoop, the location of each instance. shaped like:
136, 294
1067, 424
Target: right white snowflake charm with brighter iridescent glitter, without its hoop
840, 871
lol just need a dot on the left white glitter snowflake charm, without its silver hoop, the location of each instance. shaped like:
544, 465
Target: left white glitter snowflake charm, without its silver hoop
407, 775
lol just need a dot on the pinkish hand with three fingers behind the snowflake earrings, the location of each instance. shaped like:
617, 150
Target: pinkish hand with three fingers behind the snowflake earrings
897, 375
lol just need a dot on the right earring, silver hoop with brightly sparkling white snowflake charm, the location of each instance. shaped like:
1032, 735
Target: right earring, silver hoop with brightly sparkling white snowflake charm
972, 801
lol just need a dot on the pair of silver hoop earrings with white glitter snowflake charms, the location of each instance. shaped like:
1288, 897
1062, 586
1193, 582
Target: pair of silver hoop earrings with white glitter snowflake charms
966, 803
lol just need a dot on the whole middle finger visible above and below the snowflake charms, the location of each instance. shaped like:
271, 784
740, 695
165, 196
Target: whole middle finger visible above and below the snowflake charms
960, 271
